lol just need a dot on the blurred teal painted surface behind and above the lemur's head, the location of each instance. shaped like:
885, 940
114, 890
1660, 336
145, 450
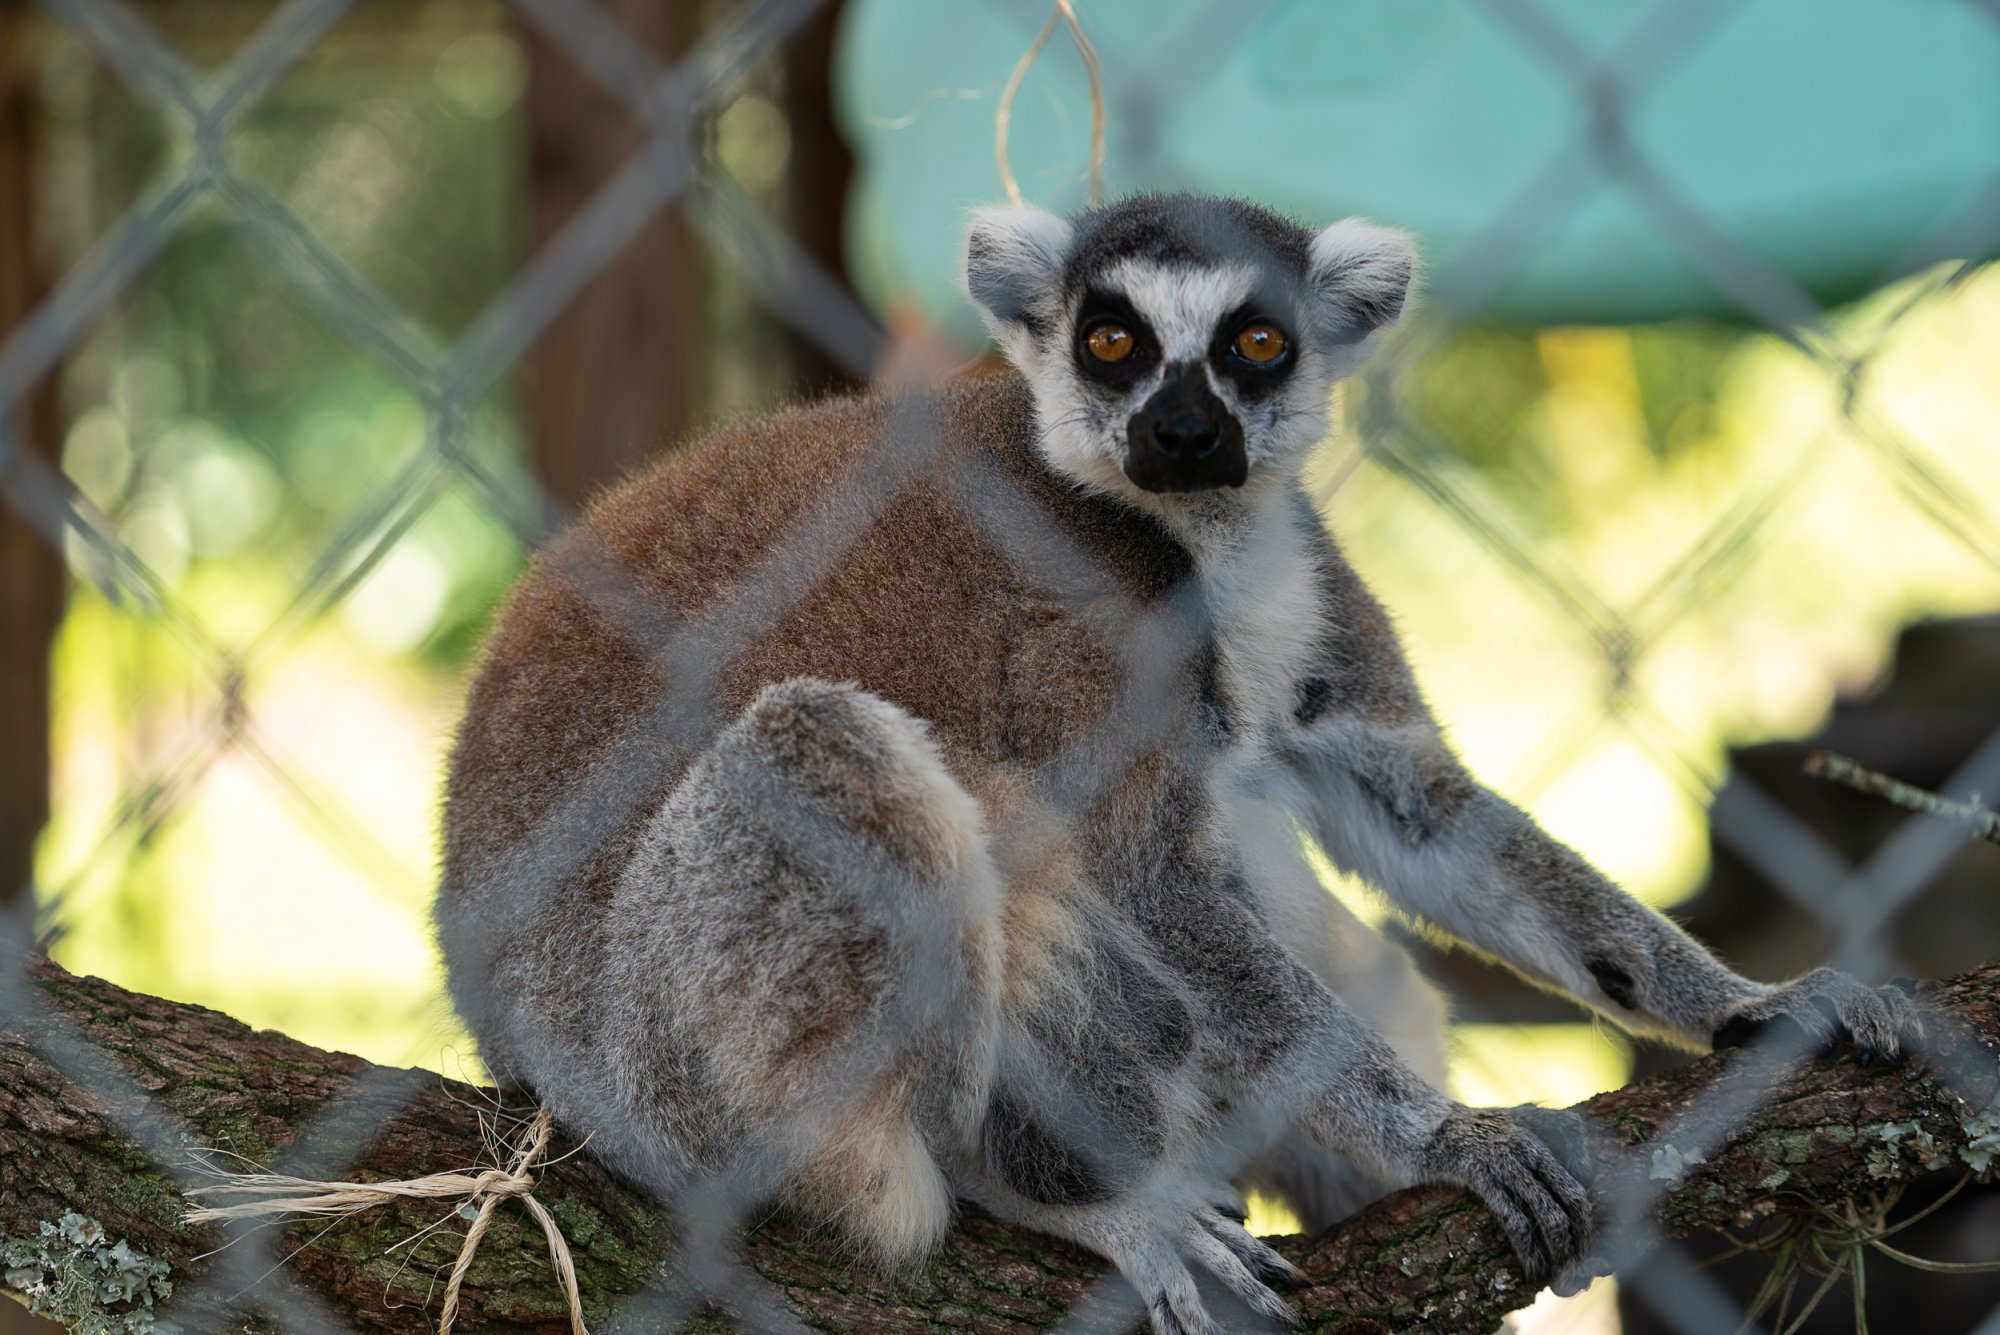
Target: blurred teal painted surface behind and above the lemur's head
1785, 153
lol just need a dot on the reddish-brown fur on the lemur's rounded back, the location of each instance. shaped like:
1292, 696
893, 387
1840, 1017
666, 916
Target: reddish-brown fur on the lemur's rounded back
923, 611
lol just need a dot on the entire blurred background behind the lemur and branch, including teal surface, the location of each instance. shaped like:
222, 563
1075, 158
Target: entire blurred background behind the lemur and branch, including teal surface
317, 317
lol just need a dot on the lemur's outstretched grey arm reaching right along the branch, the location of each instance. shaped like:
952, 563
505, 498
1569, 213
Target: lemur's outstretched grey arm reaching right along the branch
1389, 802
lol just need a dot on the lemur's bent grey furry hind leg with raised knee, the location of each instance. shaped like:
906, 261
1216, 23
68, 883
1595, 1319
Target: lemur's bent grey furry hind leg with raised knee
809, 928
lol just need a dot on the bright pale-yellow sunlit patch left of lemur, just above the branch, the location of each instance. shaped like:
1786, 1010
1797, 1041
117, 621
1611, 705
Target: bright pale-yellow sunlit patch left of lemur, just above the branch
285, 872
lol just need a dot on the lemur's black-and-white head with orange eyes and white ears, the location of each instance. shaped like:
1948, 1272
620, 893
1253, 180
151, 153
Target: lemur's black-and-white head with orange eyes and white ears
1181, 343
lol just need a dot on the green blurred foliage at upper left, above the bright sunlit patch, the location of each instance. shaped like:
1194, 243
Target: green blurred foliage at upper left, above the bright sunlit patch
219, 415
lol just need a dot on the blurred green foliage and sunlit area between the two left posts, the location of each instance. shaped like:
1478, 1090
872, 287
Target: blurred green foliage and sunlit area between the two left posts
247, 772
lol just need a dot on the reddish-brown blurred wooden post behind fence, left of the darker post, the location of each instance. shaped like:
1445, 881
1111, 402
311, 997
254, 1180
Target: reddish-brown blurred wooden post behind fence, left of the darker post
611, 383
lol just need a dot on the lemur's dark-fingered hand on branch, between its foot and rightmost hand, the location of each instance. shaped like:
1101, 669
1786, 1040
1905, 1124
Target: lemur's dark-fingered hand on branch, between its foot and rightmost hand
1539, 1202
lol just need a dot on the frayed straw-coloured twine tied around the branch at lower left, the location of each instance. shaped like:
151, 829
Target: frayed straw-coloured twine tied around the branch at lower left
299, 1196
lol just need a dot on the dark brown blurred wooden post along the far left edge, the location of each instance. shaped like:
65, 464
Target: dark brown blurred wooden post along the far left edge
31, 571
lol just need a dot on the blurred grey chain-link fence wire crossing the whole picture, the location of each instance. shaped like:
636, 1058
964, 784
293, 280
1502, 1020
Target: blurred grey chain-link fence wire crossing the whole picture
667, 171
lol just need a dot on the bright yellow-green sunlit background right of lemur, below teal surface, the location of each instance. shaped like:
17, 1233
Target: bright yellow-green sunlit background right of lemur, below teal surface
1747, 559
